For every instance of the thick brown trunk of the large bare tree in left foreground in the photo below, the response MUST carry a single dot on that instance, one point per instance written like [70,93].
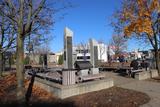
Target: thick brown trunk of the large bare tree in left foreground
[20,70]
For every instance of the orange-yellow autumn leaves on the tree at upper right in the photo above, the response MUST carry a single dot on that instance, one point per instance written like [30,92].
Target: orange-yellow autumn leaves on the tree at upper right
[142,23]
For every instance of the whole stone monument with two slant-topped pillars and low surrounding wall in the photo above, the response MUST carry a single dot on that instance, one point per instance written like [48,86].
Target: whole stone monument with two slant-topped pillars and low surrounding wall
[69,81]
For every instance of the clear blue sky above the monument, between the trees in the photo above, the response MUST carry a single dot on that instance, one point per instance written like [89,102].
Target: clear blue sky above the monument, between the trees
[89,19]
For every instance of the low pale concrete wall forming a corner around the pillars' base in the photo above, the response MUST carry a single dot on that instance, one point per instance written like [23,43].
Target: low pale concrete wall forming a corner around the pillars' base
[62,91]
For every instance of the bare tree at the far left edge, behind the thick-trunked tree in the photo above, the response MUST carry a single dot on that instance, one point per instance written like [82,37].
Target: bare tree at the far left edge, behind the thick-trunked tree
[7,40]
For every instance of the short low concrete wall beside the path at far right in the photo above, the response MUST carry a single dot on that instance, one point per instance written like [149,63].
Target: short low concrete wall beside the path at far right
[146,74]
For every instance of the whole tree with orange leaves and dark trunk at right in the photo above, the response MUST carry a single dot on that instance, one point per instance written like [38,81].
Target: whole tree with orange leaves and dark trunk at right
[142,19]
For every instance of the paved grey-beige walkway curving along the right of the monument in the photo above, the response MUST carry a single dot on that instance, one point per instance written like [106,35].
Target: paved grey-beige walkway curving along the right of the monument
[150,88]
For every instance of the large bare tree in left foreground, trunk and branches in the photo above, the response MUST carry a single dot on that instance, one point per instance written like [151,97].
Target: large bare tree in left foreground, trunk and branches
[27,17]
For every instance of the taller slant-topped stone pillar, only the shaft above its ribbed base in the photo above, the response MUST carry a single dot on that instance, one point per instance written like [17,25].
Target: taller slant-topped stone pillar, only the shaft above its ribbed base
[68,34]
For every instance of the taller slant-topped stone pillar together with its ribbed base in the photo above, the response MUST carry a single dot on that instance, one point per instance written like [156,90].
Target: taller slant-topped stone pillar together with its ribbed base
[68,74]
